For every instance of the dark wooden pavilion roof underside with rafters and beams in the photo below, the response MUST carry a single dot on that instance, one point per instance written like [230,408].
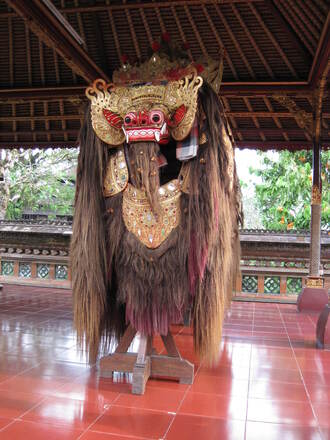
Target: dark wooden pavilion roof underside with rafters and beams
[276,52]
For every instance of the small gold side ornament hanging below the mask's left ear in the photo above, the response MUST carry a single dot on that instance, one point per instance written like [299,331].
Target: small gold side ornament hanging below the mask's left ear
[116,177]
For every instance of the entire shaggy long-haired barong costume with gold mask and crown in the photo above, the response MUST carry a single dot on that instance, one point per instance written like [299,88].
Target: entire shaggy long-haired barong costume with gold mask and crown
[157,205]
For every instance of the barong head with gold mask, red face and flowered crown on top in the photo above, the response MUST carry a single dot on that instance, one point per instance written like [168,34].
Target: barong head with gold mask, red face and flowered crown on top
[152,101]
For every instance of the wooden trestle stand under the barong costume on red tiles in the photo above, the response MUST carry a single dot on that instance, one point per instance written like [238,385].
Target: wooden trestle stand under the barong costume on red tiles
[146,362]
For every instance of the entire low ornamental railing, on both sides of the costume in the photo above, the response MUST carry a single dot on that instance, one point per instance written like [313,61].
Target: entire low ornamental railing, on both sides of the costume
[274,265]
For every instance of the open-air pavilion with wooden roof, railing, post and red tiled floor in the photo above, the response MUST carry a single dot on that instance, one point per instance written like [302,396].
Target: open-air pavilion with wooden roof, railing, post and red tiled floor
[272,380]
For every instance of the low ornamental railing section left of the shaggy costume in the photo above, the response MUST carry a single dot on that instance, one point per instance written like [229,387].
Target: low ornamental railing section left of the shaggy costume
[35,252]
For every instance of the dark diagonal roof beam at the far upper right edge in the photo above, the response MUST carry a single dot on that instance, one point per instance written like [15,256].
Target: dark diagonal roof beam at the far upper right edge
[322,55]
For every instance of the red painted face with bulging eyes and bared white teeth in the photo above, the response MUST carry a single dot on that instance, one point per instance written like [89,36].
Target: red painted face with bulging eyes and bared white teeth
[146,126]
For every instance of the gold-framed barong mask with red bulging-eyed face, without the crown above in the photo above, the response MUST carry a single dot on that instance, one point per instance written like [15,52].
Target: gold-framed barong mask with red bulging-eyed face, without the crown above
[144,112]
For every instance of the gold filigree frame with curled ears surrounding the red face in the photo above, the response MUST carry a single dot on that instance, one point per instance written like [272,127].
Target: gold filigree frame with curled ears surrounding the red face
[117,101]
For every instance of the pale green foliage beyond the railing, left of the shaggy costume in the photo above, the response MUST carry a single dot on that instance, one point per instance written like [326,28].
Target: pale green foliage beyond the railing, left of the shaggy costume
[39,180]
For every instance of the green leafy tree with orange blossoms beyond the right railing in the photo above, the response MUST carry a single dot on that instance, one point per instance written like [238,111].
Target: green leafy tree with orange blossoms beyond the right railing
[284,194]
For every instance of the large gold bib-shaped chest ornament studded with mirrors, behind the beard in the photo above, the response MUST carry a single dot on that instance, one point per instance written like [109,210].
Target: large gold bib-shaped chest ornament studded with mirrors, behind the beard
[150,229]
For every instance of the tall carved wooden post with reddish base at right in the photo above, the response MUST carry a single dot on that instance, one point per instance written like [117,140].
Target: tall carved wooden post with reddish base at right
[313,295]
